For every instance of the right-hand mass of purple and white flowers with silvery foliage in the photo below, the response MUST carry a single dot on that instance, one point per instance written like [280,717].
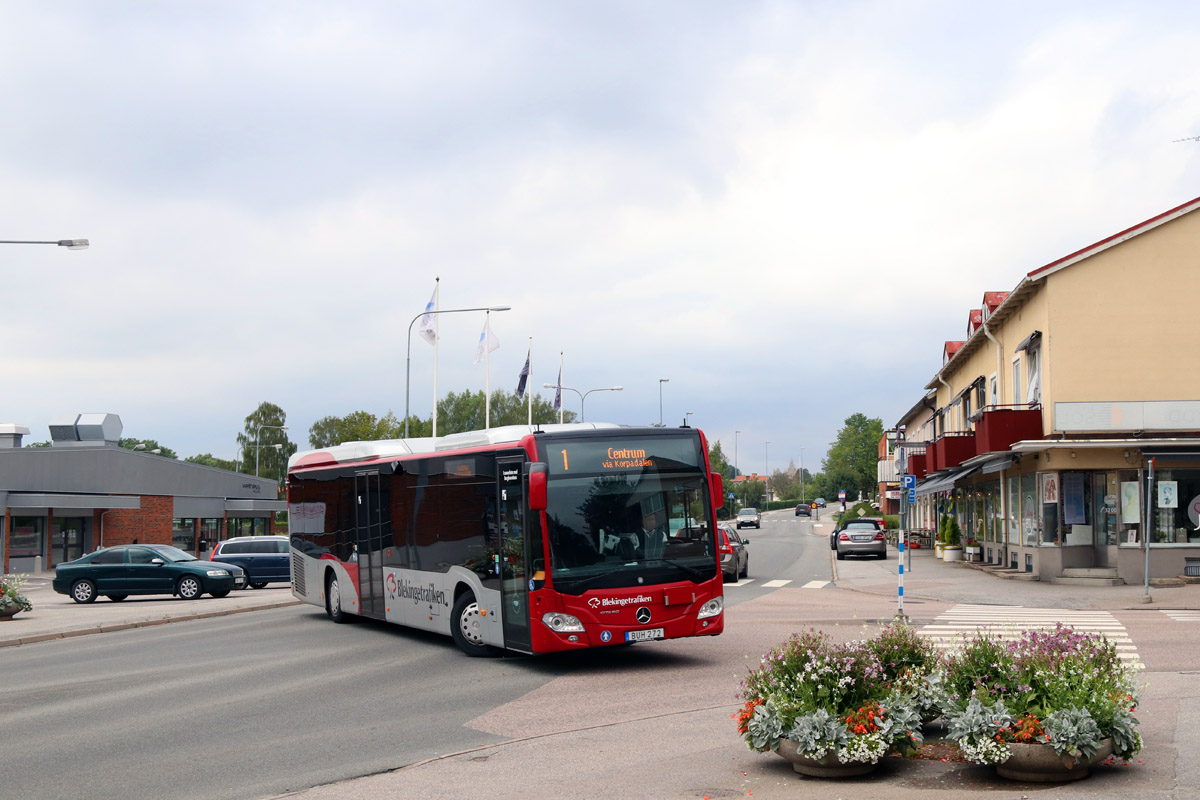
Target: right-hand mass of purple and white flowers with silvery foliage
[1060,688]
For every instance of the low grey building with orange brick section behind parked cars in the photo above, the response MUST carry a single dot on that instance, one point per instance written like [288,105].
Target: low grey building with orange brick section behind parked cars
[85,492]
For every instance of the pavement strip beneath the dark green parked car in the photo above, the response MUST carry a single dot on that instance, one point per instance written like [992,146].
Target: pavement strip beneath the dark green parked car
[57,617]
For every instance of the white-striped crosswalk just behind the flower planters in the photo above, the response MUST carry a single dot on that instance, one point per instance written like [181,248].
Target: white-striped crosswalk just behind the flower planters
[1009,622]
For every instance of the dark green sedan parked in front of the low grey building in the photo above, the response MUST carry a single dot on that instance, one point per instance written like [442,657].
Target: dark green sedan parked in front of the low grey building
[118,573]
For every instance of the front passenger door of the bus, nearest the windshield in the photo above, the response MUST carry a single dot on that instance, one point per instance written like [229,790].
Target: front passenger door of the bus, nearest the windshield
[513,546]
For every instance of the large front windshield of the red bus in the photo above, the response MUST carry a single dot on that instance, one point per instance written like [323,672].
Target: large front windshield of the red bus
[629,530]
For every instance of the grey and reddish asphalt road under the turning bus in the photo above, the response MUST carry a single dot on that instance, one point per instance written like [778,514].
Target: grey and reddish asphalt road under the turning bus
[266,705]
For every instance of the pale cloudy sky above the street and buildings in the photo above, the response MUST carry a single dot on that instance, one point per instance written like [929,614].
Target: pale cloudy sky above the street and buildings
[785,208]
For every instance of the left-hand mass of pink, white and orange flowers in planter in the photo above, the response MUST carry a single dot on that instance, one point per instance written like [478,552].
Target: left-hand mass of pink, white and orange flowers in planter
[843,699]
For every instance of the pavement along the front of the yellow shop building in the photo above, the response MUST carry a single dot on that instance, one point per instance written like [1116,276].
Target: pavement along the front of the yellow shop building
[931,579]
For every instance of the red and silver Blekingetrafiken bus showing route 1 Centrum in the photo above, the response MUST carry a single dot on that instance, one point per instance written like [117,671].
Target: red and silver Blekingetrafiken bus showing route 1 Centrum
[529,539]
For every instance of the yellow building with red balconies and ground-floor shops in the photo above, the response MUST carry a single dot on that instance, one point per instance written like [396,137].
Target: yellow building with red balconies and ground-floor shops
[1040,429]
